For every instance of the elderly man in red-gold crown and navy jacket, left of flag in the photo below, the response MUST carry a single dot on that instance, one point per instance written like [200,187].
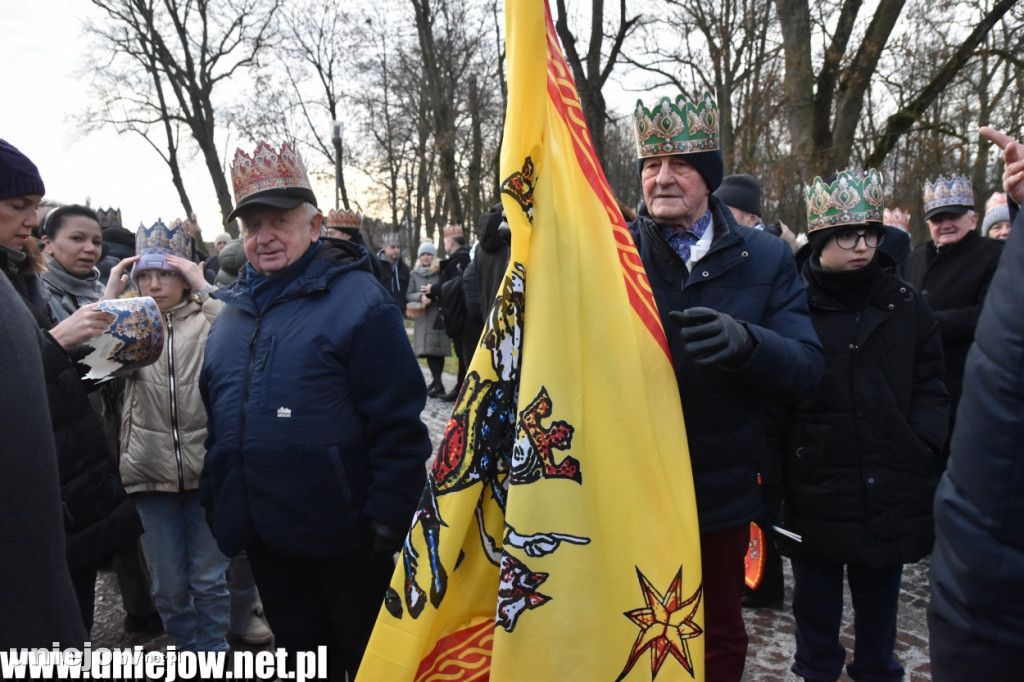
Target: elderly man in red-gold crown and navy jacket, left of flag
[316,451]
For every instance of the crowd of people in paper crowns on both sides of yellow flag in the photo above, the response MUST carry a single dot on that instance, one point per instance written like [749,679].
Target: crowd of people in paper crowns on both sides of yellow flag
[261,475]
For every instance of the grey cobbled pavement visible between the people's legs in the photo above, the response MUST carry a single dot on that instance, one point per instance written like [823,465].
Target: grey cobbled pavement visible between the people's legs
[772,632]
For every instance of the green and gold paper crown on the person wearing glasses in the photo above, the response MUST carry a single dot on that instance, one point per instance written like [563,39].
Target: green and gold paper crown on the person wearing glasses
[856,198]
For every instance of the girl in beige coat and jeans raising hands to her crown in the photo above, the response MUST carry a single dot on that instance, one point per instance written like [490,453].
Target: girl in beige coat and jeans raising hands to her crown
[162,450]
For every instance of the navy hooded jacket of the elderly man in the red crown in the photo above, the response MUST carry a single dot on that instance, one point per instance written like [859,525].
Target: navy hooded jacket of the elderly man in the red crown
[315,406]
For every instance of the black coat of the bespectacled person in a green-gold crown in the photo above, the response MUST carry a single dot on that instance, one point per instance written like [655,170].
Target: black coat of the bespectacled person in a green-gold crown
[862,461]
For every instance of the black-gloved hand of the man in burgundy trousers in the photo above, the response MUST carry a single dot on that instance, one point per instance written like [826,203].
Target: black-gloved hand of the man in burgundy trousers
[713,338]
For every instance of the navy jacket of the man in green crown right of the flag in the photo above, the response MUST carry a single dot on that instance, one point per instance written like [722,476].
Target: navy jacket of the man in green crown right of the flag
[752,277]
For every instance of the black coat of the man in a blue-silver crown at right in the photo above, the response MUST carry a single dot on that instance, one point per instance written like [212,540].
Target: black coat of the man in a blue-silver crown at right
[954,281]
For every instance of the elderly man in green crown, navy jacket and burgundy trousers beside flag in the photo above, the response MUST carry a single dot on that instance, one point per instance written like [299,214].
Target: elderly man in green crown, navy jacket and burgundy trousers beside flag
[741,335]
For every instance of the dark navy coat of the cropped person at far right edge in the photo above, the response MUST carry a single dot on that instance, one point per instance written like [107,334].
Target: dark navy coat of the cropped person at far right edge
[977,573]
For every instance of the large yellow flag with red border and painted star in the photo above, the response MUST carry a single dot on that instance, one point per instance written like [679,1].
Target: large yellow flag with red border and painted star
[558,539]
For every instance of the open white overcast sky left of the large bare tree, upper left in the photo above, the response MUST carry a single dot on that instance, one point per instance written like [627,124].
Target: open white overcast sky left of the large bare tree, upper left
[40,53]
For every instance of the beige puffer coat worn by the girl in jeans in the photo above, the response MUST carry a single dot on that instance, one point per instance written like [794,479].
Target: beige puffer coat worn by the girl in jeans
[163,428]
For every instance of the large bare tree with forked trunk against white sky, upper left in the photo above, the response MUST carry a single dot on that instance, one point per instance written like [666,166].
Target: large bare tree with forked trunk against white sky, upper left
[187,49]
